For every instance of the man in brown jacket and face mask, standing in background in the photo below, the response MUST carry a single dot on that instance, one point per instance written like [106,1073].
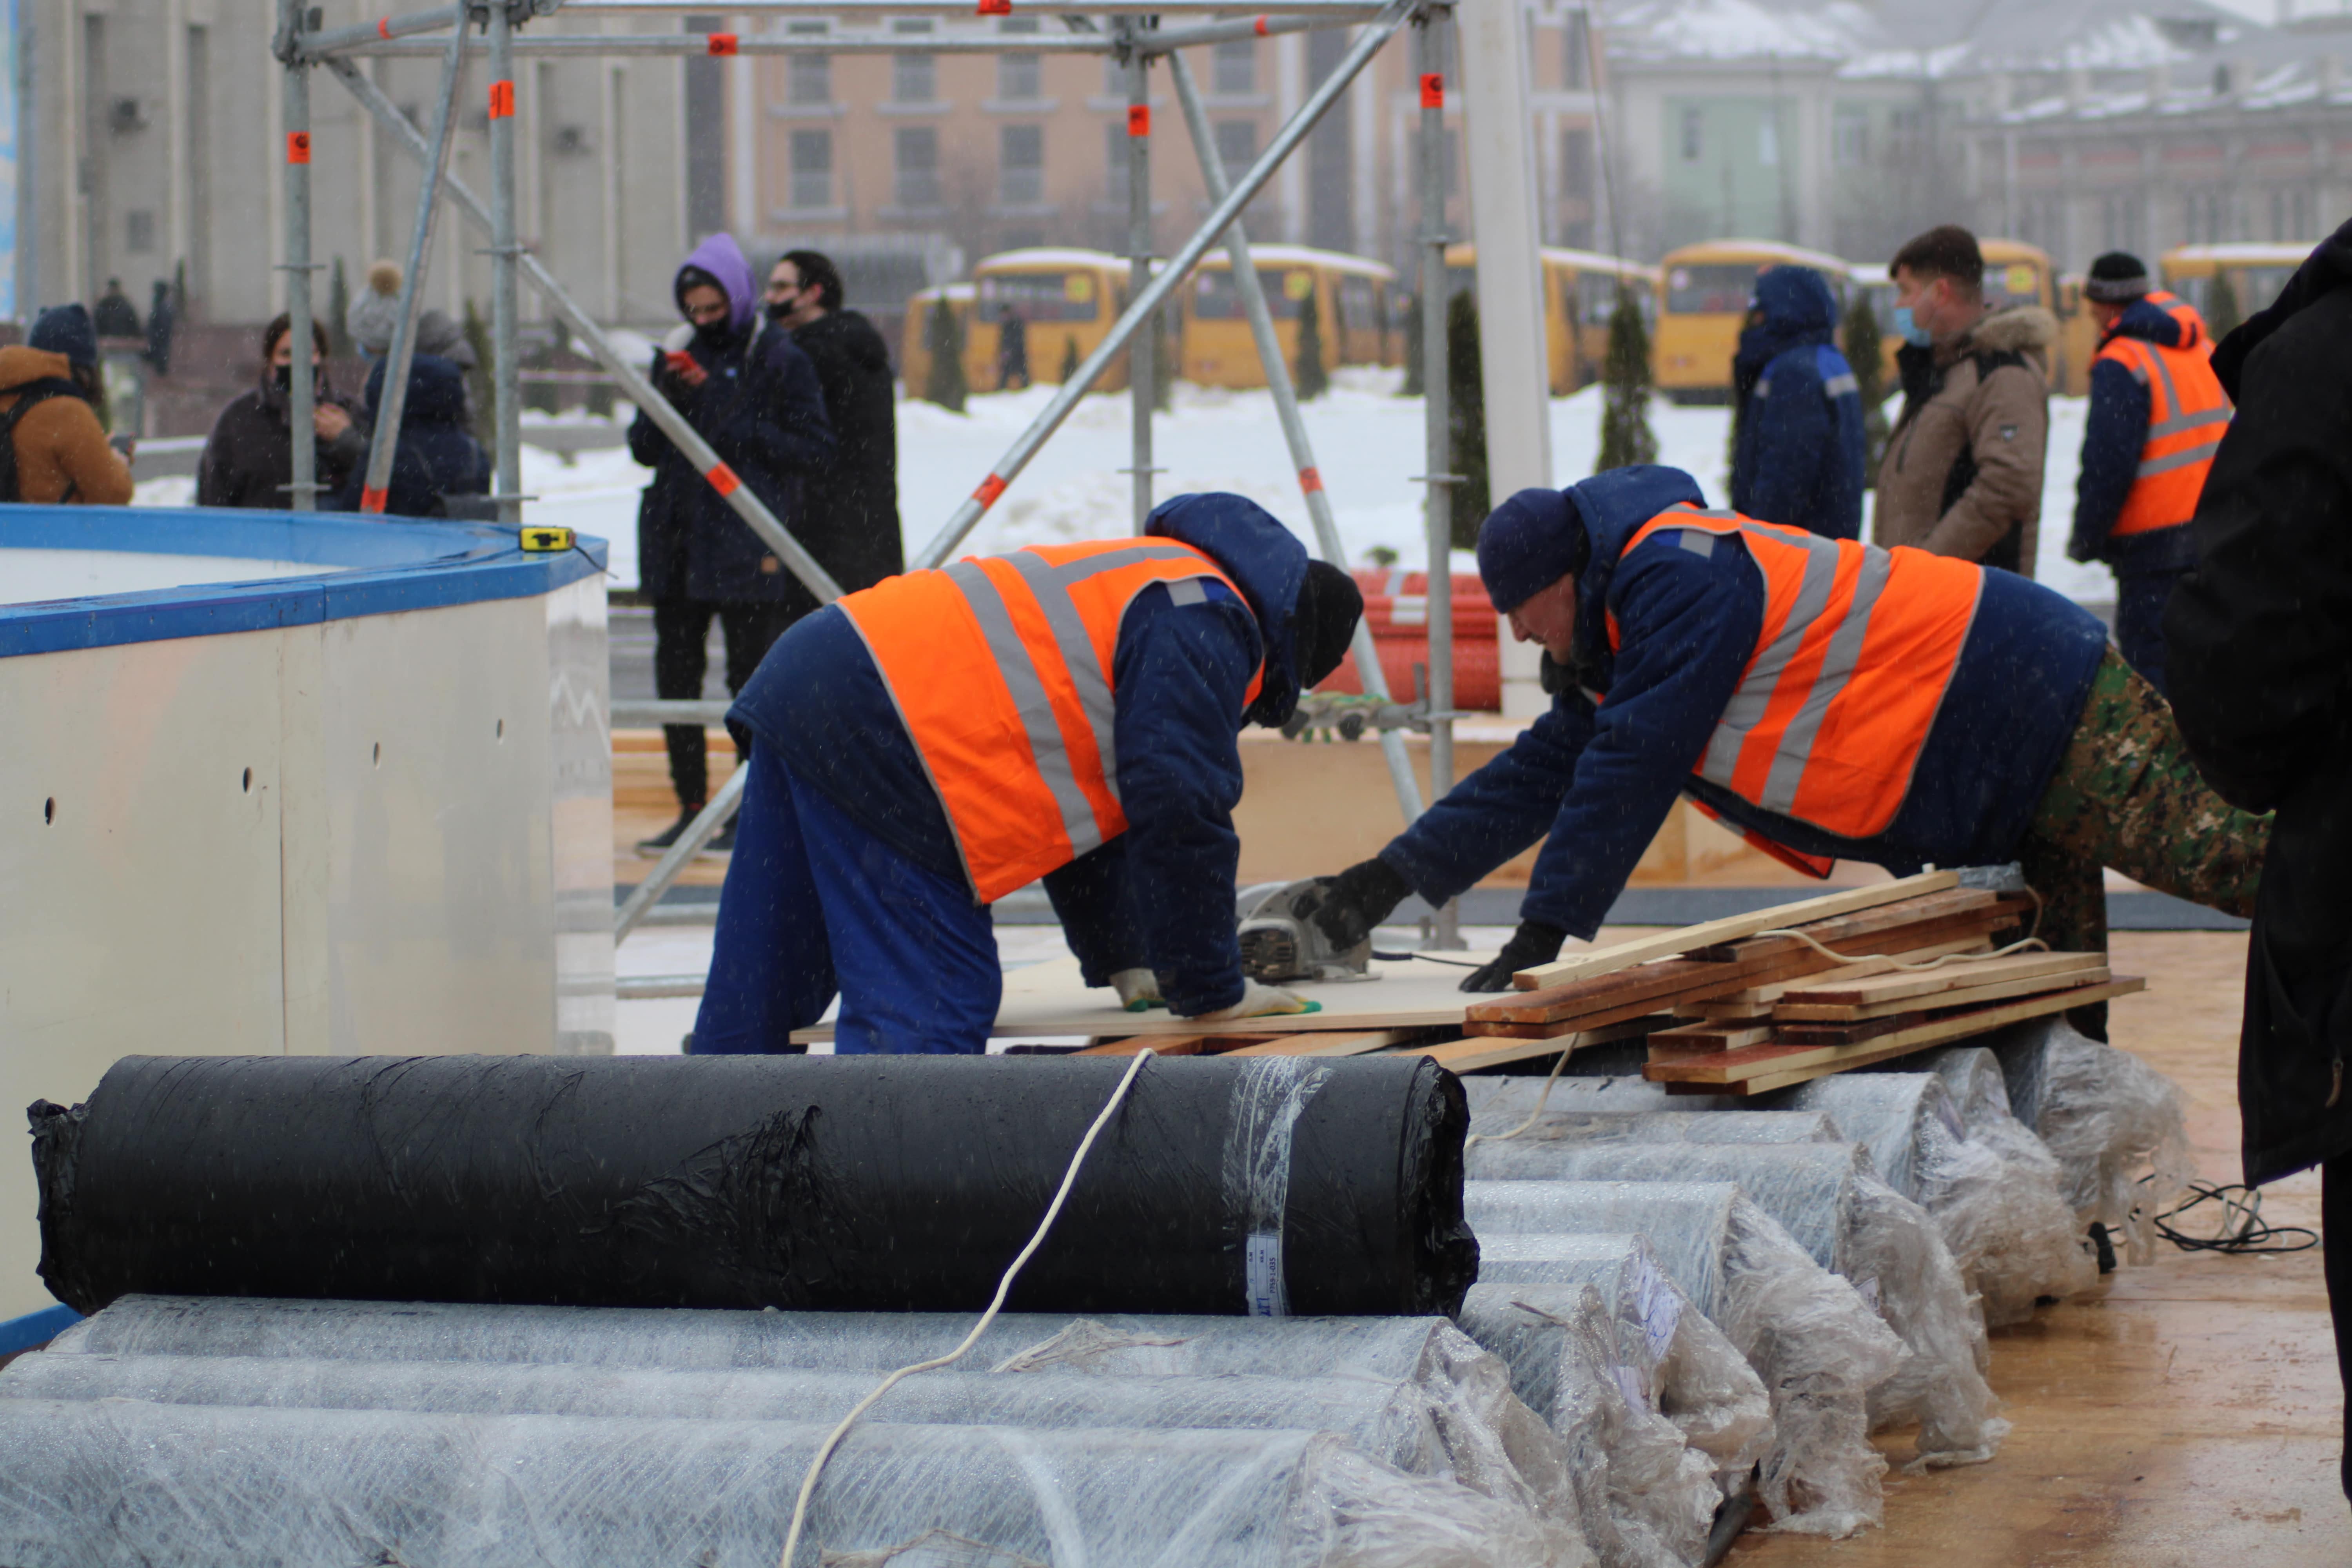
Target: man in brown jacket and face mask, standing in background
[1963,469]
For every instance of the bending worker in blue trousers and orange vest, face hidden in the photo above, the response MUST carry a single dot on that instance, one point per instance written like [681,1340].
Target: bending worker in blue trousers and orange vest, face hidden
[930,744]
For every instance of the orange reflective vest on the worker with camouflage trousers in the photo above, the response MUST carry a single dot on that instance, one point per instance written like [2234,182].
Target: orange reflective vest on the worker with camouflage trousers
[1847,676]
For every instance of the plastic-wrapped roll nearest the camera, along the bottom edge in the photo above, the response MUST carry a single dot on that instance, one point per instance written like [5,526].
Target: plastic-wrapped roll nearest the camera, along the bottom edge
[267,1489]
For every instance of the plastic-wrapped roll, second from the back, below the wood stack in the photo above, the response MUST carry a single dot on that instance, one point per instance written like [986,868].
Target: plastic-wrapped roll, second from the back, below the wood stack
[1993,1195]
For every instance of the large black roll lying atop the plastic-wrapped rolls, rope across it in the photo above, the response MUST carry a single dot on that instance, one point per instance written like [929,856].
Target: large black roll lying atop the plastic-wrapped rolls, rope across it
[799,1181]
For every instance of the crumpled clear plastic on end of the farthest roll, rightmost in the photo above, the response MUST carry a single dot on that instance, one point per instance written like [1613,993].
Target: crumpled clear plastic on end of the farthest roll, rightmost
[2113,1123]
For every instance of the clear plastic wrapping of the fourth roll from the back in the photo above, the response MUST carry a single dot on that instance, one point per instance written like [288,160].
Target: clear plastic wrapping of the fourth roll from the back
[1812,1339]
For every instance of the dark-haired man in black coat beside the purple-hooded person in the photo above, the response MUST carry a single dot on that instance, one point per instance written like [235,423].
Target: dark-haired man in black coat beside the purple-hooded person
[850,514]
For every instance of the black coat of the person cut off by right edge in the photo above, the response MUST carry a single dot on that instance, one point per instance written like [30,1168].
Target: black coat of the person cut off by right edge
[2261,659]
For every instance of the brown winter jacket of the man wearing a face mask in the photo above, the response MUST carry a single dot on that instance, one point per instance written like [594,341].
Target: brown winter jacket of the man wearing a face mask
[1963,471]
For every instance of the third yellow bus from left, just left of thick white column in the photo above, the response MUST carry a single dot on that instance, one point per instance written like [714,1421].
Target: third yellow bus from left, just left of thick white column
[1351,311]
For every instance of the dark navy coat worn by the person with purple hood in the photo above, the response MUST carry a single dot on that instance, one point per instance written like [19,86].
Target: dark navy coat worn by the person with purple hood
[766,417]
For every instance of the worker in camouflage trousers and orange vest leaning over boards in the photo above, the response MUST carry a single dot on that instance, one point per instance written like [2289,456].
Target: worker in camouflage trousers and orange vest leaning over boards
[1826,697]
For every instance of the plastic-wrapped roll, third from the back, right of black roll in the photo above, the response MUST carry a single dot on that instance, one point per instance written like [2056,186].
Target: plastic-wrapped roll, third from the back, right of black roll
[1855,1226]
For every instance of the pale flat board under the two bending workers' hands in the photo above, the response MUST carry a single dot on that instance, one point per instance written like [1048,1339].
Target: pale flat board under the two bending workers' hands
[1050,1000]
